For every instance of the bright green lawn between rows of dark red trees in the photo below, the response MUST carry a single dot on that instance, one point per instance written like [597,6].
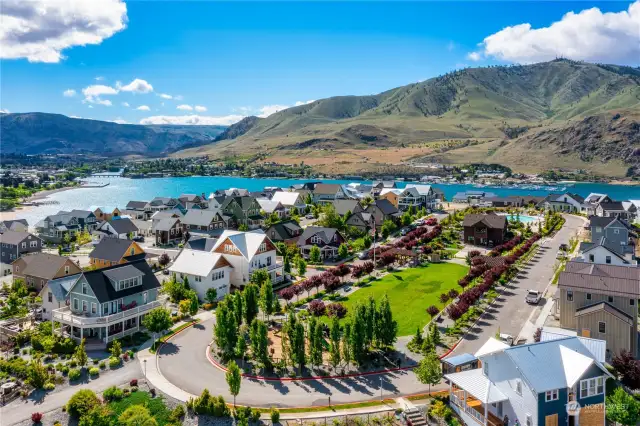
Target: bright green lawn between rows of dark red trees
[411,292]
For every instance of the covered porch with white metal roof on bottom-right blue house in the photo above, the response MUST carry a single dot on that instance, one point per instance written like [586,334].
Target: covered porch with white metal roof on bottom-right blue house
[476,399]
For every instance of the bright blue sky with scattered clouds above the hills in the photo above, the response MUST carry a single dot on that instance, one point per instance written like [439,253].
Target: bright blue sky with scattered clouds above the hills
[238,58]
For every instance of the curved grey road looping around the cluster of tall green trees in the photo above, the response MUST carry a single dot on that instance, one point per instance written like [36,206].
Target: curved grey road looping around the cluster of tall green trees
[183,362]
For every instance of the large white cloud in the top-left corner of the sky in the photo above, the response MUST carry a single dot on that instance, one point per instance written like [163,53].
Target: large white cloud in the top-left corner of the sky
[39,30]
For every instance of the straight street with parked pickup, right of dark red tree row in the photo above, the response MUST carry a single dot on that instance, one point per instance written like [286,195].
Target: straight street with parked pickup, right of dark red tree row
[510,313]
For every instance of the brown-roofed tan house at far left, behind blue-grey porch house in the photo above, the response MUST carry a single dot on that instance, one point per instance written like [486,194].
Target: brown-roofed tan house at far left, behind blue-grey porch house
[38,268]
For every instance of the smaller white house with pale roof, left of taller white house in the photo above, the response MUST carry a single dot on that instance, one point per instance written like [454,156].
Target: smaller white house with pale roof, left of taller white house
[204,270]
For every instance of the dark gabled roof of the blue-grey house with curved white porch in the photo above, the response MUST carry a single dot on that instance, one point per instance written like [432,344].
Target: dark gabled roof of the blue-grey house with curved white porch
[100,280]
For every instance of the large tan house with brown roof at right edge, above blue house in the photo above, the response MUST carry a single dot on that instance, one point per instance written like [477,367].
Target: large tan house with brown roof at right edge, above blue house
[600,301]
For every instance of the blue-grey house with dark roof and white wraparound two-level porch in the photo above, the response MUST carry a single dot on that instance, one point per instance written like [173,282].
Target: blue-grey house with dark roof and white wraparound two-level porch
[109,303]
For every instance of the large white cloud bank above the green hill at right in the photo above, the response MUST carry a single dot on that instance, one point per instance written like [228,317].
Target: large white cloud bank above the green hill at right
[588,35]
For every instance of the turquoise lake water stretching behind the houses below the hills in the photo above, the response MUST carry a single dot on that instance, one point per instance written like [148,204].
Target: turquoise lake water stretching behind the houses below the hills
[121,190]
